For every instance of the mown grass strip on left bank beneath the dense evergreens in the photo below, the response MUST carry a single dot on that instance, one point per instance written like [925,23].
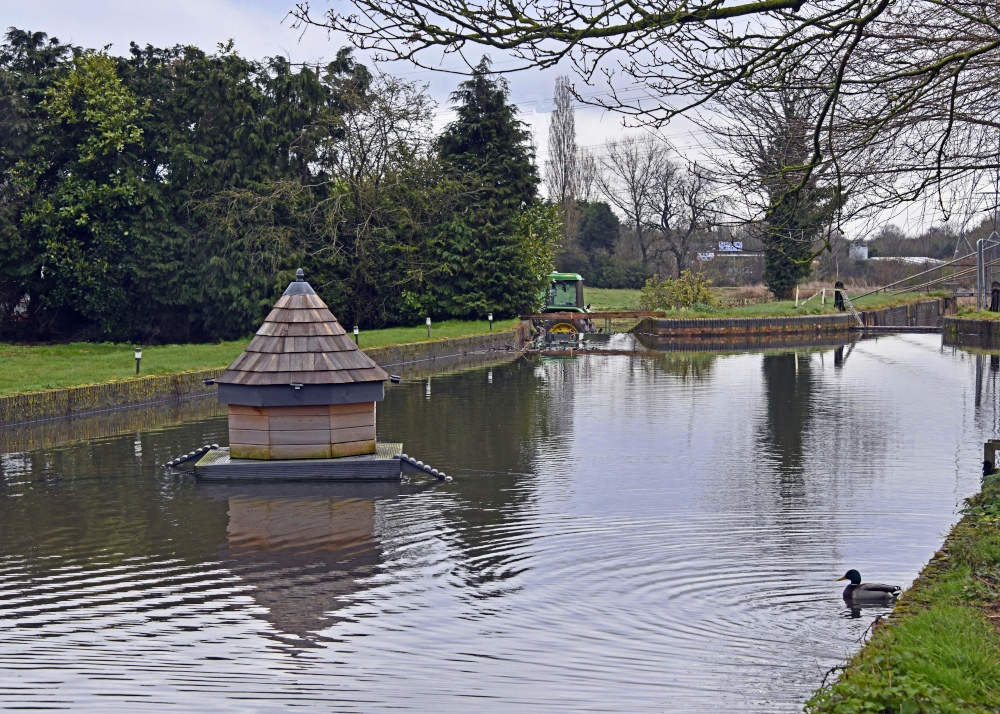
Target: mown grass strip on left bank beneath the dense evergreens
[34,368]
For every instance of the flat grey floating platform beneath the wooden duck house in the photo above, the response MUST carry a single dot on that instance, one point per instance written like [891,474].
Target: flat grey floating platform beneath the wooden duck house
[388,463]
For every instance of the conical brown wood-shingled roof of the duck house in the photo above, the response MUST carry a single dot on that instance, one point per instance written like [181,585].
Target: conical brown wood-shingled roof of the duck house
[301,342]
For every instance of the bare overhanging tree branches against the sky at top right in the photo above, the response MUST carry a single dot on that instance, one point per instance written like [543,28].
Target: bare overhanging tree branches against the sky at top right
[914,78]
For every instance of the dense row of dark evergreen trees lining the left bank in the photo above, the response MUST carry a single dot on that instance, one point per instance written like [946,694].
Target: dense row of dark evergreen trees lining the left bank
[169,195]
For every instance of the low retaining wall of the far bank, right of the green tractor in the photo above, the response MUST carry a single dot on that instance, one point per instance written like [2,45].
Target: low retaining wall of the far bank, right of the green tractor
[923,313]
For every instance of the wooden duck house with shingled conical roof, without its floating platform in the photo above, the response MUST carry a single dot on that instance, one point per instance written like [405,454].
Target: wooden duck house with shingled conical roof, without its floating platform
[302,389]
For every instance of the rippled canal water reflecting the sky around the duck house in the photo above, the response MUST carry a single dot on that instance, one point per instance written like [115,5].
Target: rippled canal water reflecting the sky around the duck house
[623,533]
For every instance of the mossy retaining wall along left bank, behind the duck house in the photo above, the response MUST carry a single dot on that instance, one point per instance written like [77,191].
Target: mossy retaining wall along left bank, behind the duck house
[408,360]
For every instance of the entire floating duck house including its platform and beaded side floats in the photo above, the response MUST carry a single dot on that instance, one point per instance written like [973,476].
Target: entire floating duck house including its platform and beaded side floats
[301,401]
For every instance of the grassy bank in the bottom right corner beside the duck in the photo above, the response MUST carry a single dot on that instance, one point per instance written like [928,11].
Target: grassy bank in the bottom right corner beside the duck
[940,650]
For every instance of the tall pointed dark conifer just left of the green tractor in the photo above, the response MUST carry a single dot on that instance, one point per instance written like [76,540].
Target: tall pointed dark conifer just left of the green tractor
[496,250]
